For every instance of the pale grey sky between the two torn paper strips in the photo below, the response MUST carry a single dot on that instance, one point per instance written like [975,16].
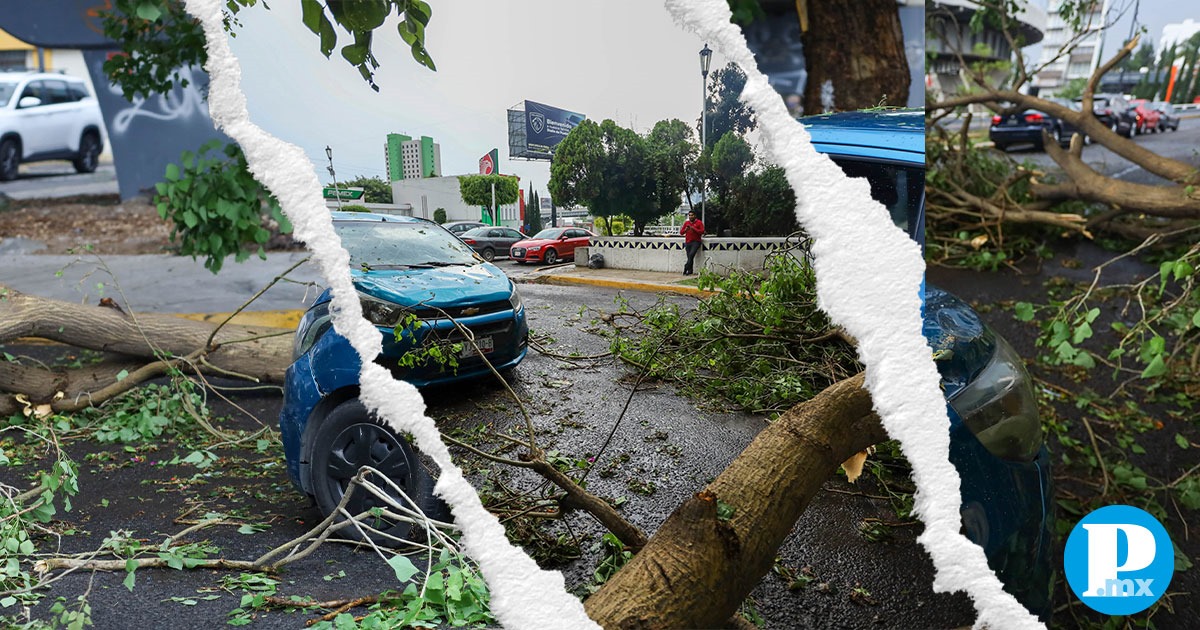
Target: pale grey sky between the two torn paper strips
[620,59]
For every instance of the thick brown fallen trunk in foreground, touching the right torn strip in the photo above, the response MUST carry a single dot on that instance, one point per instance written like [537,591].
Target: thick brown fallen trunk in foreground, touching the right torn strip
[704,562]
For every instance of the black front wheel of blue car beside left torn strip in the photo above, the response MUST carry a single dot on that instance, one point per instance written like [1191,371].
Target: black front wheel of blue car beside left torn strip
[350,439]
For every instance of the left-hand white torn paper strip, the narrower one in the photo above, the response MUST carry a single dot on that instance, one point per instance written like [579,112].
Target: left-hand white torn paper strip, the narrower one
[524,596]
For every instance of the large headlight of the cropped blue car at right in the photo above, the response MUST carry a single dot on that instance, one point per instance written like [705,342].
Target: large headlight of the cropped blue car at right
[1000,409]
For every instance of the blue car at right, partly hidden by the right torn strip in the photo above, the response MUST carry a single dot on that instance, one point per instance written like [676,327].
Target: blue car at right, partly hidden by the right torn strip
[997,442]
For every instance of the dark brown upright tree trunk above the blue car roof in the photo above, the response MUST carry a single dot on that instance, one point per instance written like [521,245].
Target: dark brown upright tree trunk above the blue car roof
[859,50]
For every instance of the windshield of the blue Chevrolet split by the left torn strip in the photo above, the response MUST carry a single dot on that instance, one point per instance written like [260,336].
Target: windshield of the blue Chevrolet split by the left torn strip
[392,245]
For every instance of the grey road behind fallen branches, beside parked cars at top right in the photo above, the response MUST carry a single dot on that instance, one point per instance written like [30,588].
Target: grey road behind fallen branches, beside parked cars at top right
[1180,145]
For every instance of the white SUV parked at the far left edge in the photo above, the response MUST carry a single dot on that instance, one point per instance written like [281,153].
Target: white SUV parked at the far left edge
[47,117]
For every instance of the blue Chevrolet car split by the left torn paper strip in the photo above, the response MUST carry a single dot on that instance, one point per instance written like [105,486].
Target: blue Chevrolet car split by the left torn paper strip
[416,278]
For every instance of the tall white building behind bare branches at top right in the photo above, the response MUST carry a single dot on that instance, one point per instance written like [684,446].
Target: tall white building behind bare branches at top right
[1082,61]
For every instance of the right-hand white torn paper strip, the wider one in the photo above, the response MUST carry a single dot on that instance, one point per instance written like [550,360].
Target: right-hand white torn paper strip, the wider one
[869,279]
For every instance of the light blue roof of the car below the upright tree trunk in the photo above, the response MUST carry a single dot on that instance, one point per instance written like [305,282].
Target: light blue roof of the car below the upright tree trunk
[893,135]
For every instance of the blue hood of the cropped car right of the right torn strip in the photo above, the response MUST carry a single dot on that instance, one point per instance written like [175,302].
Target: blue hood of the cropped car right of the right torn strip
[962,343]
